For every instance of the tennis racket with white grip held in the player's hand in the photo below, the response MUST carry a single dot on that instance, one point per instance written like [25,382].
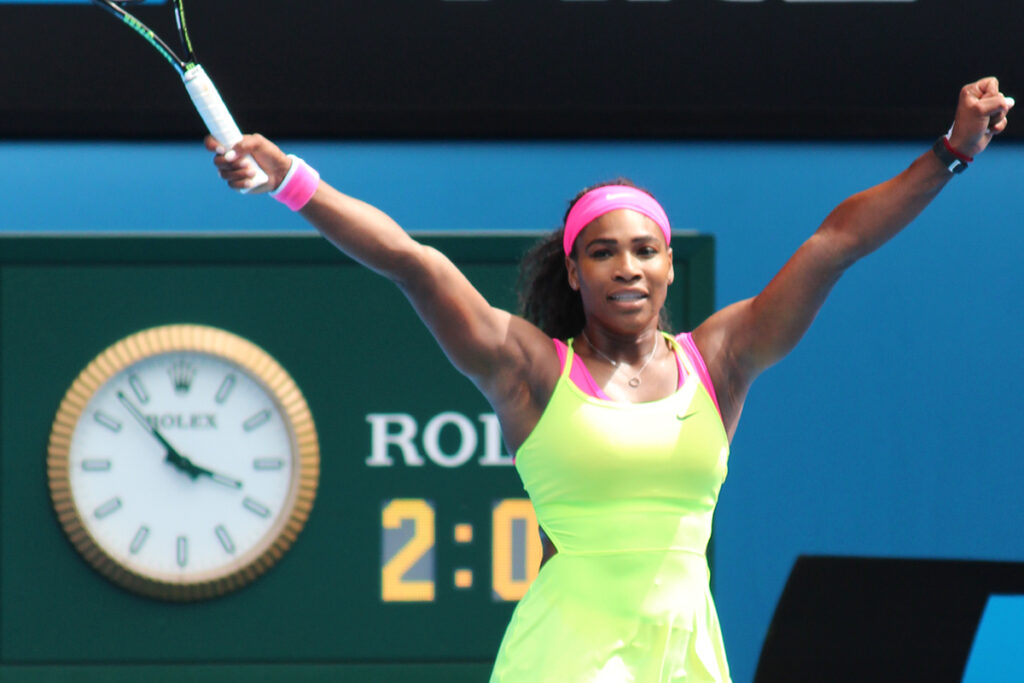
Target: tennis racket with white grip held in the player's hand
[204,95]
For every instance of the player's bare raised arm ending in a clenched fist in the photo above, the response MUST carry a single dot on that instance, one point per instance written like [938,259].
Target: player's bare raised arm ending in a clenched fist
[744,339]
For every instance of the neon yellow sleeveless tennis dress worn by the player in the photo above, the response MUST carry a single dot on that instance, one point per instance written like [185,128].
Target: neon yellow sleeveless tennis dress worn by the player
[626,492]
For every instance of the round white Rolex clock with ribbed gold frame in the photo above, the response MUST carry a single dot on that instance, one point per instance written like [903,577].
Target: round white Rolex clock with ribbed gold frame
[184,462]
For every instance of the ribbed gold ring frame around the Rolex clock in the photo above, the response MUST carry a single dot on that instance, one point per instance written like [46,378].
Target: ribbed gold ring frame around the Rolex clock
[261,366]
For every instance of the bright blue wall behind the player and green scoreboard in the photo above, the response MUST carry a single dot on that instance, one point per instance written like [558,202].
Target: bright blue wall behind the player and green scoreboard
[892,431]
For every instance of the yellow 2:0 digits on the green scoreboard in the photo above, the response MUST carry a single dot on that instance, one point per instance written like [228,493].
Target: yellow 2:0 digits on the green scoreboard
[409,540]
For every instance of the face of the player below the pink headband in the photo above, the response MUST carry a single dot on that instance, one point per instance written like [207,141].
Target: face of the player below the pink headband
[623,270]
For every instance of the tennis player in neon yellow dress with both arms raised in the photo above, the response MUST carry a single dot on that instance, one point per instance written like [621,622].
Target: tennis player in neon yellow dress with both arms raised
[621,431]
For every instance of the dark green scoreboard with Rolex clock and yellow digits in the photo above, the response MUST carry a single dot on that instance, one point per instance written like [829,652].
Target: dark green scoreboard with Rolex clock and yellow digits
[148,390]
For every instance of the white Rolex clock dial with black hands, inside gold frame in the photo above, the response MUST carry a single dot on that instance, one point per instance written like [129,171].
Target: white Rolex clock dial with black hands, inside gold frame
[153,514]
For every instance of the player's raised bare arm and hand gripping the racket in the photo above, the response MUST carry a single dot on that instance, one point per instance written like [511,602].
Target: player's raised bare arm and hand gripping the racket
[500,353]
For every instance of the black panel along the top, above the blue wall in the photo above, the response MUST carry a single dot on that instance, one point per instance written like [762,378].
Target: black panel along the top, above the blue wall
[718,69]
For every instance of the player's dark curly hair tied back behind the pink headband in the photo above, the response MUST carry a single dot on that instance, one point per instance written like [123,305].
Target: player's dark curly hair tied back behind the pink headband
[545,296]
